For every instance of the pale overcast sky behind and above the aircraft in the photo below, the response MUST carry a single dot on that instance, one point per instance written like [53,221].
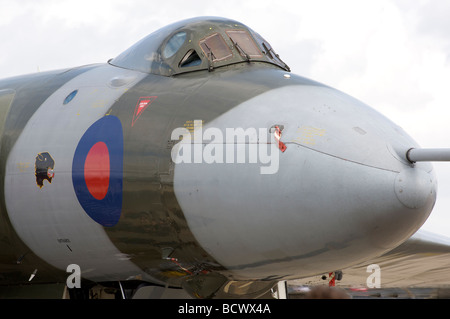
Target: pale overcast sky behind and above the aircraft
[392,54]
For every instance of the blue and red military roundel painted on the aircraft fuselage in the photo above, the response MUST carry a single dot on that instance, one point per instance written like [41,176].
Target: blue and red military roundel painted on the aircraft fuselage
[97,171]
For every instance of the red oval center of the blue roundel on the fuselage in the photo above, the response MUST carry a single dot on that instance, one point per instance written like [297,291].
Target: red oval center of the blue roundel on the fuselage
[97,170]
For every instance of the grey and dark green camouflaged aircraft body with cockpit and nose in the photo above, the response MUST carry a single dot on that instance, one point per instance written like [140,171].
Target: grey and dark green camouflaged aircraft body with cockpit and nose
[88,174]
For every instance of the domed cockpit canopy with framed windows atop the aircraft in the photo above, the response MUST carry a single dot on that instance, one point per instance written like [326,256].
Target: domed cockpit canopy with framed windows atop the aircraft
[197,44]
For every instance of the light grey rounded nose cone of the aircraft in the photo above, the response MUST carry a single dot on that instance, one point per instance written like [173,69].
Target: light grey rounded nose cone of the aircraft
[339,194]
